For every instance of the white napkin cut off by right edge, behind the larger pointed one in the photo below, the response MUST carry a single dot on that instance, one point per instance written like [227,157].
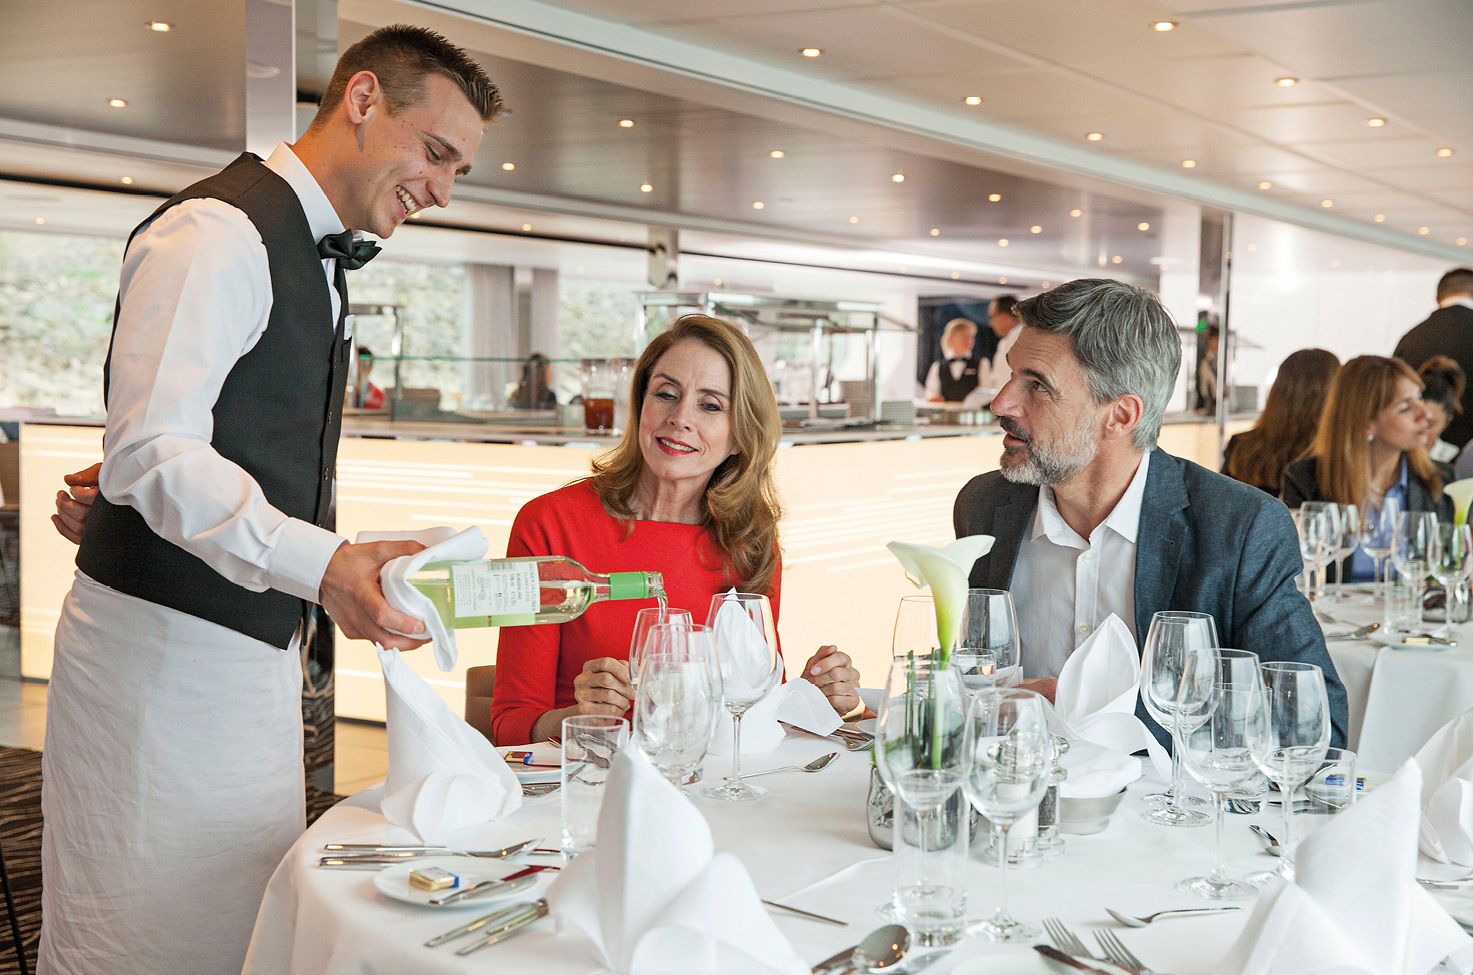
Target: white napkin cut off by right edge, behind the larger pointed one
[1447,800]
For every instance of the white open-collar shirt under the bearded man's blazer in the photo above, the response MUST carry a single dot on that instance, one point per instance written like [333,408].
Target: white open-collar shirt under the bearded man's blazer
[1064,585]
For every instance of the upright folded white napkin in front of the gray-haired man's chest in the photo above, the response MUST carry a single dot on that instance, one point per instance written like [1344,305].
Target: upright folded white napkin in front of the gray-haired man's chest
[1095,705]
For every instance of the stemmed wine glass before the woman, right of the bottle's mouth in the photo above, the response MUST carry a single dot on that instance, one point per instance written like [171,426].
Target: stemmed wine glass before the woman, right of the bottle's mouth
[750,668]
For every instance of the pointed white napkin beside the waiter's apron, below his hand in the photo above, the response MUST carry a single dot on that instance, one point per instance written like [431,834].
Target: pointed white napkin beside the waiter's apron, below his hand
[444,775]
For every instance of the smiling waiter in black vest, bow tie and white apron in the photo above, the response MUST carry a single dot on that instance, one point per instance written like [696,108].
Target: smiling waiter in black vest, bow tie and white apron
[173,765]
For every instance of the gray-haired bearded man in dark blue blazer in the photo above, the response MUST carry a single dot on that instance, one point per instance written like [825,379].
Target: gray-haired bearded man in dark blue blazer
[1091,519]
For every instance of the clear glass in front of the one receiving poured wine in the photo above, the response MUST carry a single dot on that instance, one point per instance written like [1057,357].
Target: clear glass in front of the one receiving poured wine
[678,703]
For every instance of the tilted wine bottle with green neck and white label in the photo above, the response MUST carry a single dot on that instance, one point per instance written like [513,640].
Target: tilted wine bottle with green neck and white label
[525,591]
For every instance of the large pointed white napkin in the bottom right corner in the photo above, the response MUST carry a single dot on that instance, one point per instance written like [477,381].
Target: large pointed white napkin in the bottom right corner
[1357,907]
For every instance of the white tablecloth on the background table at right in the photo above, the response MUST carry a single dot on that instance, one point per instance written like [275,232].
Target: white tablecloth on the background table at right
[1397,697]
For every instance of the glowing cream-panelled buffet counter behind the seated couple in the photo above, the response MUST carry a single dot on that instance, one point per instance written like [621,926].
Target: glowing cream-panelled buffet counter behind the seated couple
[848,493]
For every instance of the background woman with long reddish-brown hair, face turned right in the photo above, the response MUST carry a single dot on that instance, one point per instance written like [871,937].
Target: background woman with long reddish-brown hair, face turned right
[1371,447]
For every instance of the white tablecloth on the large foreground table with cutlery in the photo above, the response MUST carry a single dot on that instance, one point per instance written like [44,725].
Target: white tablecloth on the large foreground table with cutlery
[806,845]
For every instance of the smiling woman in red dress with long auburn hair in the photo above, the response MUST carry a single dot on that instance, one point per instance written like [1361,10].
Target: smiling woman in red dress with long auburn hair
[687,493]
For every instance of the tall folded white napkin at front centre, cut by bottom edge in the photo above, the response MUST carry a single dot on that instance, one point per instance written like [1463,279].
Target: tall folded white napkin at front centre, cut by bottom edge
[652,898]
